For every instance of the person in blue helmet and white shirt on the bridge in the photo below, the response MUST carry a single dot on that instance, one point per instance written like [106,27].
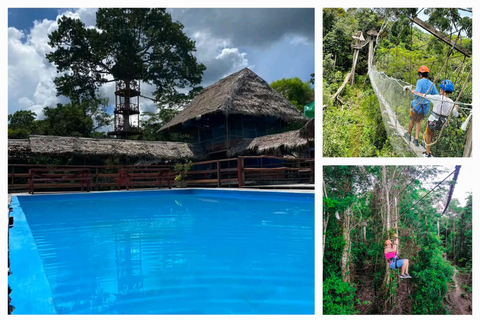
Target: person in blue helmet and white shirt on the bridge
[442,105]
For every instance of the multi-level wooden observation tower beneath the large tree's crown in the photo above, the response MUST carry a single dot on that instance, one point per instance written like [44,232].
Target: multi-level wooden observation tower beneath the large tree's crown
[127,109]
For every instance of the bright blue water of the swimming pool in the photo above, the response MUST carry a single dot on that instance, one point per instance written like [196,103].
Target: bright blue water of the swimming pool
[164,252]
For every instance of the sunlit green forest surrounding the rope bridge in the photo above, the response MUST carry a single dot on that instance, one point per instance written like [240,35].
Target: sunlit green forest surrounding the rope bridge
[352,119]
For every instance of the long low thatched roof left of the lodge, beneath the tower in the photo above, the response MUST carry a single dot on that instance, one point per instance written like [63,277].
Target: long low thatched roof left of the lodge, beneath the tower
[52,145]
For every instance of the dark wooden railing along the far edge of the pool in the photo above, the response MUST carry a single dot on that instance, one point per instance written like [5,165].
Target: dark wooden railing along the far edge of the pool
[233,172]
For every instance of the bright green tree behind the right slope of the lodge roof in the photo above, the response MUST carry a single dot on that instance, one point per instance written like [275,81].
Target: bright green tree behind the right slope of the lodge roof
[296,91]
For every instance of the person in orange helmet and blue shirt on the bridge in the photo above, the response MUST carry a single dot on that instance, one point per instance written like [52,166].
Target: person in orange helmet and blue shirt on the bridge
[419,107]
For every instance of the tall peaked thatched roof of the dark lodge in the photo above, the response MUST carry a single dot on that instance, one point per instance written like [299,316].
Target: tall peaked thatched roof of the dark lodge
[242,93]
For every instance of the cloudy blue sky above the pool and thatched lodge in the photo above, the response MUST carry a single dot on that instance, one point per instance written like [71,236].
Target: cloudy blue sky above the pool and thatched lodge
[274,43]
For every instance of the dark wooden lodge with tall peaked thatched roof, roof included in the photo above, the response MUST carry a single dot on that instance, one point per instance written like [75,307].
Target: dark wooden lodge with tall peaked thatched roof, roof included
[236,110]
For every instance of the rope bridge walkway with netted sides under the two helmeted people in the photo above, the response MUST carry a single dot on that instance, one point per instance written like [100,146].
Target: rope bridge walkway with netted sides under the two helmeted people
[395,107]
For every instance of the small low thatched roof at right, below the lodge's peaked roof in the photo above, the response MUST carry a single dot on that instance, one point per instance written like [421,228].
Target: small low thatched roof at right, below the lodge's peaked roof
[271,144]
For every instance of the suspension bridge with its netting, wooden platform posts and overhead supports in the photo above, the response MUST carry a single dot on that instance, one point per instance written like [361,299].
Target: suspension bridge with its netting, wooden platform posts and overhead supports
[395,106]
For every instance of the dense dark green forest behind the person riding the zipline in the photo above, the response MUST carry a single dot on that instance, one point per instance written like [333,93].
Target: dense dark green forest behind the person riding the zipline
[363,206]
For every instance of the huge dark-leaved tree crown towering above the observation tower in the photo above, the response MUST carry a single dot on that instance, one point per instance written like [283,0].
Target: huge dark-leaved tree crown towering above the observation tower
[127,45]
